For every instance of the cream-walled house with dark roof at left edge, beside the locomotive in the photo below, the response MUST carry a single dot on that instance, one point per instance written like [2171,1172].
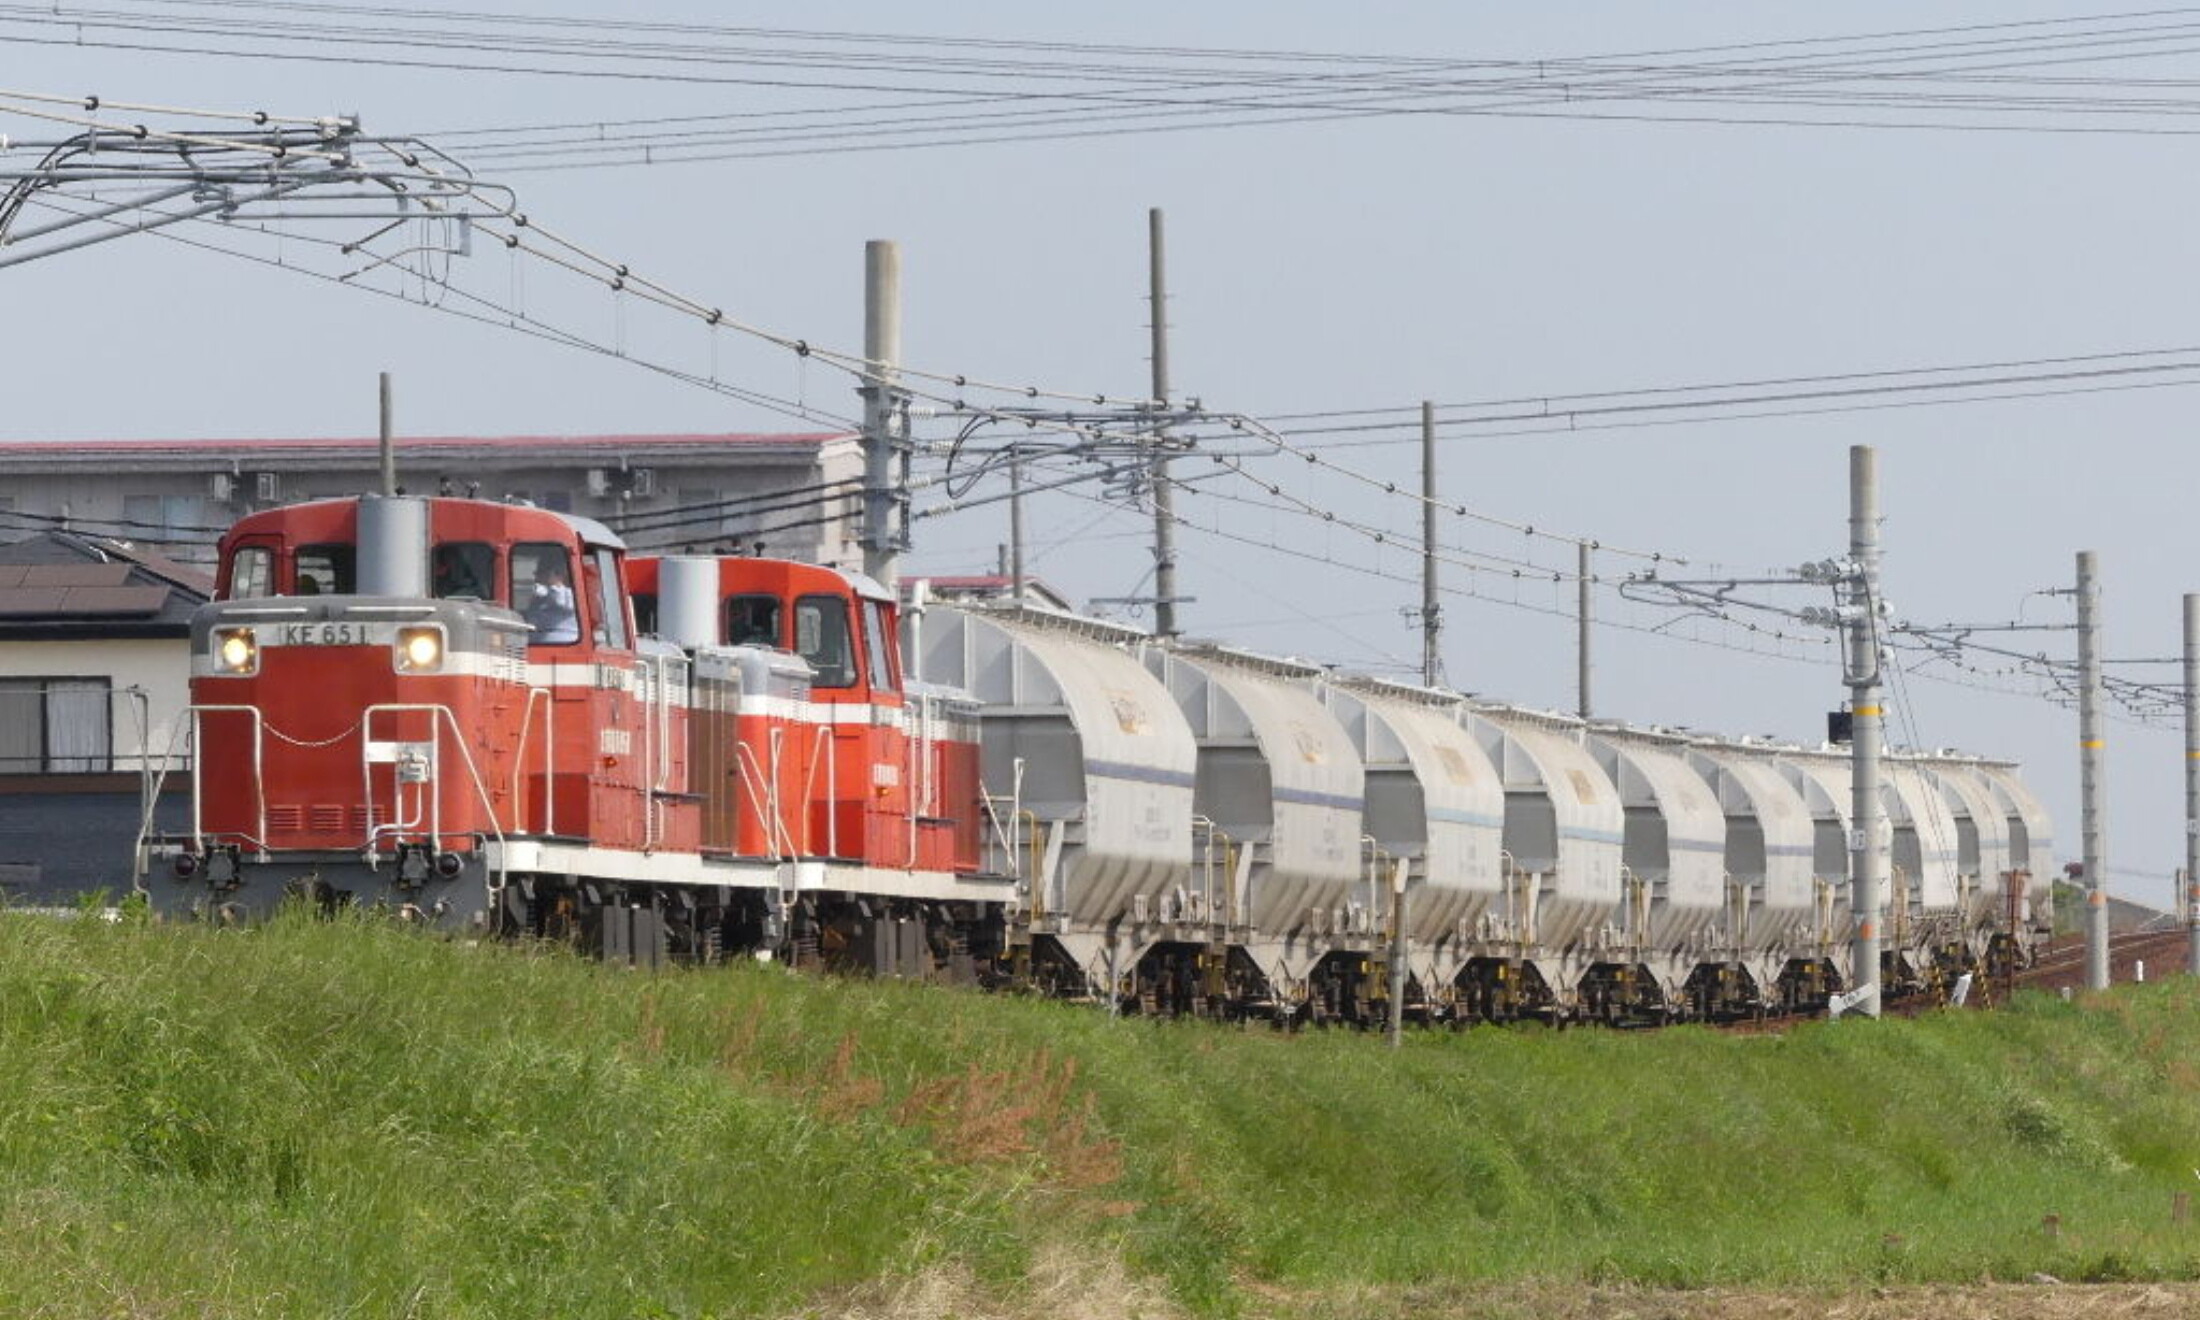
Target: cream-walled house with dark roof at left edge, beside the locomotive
[93,679]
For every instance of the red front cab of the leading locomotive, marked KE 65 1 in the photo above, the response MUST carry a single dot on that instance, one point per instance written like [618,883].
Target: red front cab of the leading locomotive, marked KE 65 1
[382,690]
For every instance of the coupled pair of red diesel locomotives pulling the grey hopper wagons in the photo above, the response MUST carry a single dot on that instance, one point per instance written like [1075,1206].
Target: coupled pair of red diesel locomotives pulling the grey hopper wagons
[445,707]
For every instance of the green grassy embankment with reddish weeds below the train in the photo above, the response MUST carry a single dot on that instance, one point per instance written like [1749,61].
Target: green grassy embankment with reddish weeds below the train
[344,1119]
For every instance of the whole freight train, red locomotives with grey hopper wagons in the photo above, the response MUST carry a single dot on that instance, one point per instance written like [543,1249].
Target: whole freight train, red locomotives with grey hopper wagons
[489,718]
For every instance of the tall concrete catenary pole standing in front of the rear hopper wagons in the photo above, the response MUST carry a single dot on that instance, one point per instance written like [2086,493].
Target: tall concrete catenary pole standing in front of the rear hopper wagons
[1869,815]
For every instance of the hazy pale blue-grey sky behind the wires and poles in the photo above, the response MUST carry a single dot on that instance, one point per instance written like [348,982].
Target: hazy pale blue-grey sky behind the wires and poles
[1596,212]
